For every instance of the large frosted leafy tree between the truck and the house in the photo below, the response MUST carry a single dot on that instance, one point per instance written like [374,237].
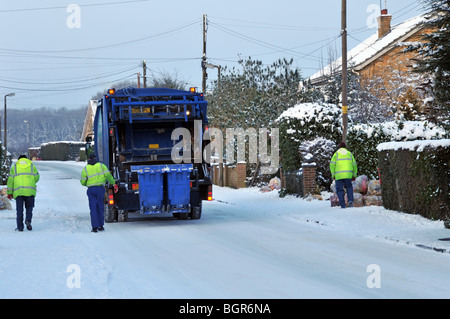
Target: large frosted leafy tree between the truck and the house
[255,94]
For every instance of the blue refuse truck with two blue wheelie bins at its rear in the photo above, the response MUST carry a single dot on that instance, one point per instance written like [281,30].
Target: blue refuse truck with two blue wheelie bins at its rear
[154,142]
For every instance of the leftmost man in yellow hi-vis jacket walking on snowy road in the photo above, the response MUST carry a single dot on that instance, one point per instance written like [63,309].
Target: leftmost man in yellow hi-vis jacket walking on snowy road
[21,184]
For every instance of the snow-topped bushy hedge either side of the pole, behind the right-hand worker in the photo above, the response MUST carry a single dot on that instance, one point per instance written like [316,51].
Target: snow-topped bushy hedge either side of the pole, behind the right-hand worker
[308,121]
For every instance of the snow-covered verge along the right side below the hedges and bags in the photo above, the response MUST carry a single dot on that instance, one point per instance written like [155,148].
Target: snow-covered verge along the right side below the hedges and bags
[374,222]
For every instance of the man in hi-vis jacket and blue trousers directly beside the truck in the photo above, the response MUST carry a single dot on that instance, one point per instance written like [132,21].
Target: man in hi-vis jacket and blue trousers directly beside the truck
[94,175]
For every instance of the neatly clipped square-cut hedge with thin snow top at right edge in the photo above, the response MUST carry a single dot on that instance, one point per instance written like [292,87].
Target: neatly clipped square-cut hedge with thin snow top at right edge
[415,177]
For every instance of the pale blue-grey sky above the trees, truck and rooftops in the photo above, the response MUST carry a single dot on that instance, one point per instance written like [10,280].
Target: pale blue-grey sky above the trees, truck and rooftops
[58,53]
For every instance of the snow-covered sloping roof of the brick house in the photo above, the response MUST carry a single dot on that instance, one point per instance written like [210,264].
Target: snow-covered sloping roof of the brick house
[372,46]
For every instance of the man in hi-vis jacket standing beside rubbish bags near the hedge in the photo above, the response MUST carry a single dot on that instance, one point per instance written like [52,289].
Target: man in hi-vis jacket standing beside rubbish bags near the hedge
[343,169]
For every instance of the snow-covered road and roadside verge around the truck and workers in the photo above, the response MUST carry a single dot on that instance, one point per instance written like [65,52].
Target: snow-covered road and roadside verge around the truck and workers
[247,244]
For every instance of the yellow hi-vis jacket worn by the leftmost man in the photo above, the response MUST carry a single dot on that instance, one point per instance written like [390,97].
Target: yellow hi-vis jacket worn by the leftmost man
[22,179]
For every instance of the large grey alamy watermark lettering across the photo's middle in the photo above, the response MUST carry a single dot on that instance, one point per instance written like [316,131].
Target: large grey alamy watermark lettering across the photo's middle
[235,143]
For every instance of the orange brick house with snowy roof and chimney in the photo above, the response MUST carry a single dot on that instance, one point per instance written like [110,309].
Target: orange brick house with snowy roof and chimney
[380,62]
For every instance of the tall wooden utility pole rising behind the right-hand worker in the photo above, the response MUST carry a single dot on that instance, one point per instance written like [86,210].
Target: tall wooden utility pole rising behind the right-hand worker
[344,70]
